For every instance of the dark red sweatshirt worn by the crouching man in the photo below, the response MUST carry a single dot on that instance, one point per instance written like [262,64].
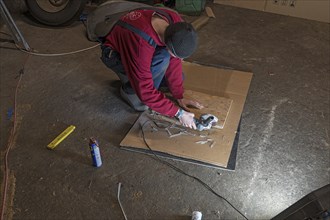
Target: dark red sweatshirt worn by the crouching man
[136,55]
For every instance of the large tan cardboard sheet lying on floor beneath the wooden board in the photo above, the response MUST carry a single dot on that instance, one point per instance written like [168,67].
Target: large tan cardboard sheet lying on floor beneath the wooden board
[230,84]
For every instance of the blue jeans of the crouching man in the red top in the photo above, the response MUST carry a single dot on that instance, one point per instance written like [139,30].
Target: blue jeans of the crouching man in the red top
[159,65]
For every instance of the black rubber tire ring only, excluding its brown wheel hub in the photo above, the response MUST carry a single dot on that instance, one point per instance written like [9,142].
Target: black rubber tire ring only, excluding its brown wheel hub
[62,18]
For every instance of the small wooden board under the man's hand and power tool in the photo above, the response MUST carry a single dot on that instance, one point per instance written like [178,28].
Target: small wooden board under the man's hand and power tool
[215,105]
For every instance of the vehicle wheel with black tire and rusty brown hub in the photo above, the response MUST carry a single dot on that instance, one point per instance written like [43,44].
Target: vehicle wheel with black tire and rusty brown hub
[55,12]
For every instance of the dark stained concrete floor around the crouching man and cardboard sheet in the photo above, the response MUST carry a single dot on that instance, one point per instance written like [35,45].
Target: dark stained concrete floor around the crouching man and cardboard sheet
[283,149]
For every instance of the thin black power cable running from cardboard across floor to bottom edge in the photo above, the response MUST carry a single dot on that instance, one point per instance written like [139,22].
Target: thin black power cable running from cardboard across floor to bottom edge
[186,174]
